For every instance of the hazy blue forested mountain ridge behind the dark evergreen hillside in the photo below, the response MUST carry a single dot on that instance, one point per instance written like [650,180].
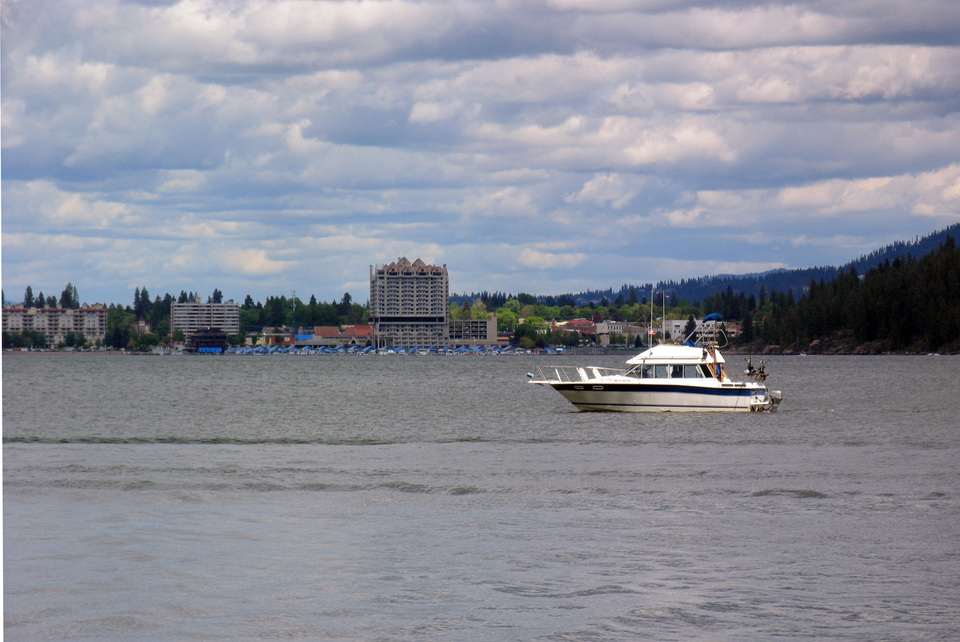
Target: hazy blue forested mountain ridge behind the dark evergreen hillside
[781,280]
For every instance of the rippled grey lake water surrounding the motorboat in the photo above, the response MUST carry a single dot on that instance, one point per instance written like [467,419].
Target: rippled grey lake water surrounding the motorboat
[379,498]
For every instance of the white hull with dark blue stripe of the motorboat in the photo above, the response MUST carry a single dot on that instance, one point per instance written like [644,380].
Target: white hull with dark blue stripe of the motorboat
[662,397]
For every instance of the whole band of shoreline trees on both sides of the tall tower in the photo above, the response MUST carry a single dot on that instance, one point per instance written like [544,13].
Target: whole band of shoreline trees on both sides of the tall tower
[903,304]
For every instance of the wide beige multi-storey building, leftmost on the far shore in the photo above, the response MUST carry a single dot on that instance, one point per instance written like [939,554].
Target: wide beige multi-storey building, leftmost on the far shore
[56,323]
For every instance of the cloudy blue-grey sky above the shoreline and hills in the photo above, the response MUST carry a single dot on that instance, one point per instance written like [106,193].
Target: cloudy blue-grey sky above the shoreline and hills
[273,147]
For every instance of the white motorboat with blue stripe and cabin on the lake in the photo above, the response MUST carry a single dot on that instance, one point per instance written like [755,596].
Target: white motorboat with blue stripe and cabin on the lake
[665,377]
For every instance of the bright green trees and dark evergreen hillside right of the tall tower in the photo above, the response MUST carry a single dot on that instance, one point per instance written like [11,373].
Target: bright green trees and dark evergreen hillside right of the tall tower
[910,304]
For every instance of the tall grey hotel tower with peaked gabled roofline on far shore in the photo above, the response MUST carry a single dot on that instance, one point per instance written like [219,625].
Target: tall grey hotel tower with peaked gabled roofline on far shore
[409,303]
